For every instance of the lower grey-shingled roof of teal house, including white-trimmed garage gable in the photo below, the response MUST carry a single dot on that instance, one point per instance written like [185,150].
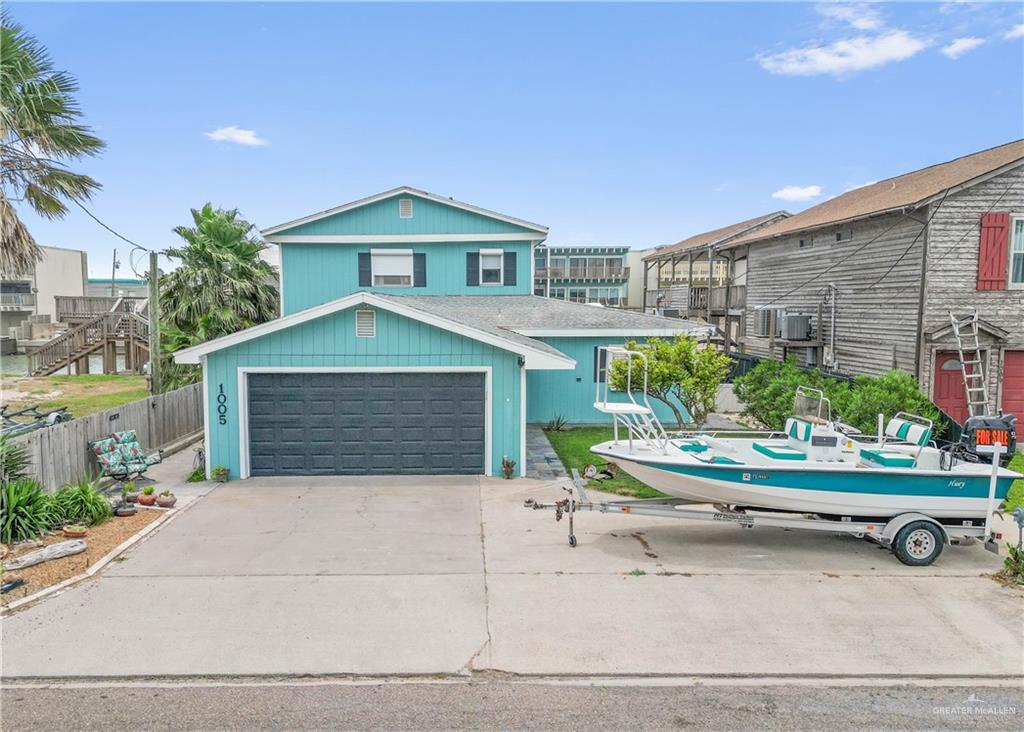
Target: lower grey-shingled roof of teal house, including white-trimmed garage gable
[508,322]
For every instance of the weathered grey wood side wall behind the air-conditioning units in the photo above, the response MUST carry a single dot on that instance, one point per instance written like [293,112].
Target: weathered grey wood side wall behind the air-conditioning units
[876,327]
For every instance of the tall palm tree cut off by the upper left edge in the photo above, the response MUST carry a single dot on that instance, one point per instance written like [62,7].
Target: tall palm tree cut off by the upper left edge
[39,135]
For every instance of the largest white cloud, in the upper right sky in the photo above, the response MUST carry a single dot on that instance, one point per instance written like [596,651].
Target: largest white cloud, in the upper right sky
[845,57]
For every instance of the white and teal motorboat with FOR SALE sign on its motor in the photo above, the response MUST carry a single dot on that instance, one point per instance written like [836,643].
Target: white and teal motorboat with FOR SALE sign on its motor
[815,465]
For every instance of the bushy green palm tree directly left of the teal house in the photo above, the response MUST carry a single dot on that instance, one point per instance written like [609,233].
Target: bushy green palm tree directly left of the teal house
[222,286]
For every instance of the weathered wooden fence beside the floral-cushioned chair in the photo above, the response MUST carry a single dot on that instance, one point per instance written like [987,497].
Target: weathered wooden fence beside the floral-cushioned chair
[61,454]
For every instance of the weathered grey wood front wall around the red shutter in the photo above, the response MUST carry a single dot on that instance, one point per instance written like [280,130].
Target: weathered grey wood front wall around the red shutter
[954,244]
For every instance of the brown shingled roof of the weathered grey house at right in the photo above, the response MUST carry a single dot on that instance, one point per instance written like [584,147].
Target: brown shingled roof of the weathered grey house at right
[908,191]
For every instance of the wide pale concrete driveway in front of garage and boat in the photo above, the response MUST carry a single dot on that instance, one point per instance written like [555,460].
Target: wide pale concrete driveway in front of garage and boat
[401,576]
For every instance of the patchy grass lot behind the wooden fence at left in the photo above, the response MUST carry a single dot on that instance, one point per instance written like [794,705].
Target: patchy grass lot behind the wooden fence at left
[82,396]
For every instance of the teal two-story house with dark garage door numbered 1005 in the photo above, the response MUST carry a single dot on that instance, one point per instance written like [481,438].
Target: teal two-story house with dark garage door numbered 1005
[410,342]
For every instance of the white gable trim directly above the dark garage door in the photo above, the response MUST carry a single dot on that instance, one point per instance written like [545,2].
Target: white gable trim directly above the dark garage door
[535,354]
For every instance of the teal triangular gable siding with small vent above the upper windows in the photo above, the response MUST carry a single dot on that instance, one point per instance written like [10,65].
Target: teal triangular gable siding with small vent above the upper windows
[382,218]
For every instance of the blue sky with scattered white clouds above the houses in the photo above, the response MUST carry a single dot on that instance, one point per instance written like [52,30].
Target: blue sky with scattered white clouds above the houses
[634,124]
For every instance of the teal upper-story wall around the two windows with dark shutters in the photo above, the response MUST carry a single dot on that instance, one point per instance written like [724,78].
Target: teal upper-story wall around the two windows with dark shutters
[315,274]
